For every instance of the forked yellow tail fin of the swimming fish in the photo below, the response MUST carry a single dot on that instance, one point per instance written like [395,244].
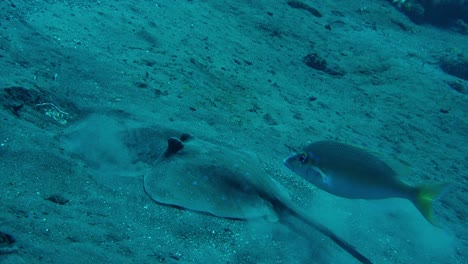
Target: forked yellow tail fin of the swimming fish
[423,198]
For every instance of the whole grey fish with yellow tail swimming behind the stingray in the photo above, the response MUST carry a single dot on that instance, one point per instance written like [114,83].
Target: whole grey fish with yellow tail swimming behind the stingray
[353,172]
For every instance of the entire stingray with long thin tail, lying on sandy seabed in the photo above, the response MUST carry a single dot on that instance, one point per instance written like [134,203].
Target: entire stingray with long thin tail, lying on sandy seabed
[213,179]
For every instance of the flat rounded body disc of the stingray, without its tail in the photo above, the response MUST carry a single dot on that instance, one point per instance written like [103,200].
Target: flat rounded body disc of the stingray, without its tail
[210,178]
